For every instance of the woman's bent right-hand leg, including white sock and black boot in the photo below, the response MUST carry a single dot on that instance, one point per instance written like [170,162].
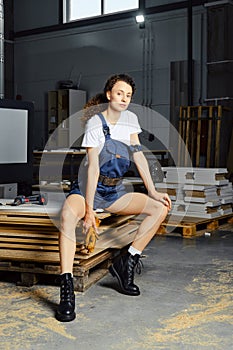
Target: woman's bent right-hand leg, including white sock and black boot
[136,203]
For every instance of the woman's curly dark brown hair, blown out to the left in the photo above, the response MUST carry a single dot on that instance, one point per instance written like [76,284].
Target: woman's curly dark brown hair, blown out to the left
[98,103]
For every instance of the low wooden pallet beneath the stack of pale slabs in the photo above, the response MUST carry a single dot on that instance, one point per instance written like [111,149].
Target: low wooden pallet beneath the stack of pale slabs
[192,227]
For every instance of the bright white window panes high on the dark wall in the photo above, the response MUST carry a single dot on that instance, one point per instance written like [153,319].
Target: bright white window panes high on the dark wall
[80,9]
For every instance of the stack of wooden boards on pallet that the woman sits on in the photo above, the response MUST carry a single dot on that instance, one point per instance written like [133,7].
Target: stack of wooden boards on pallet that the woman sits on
[29,244]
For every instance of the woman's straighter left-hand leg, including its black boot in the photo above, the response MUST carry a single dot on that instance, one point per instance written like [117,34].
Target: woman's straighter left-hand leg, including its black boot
[73,210]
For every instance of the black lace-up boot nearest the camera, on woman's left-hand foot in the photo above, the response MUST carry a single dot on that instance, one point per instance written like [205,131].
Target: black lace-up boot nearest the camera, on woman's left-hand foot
[65,311]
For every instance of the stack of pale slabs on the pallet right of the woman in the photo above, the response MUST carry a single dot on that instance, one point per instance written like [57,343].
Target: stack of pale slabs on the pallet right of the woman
[198,192]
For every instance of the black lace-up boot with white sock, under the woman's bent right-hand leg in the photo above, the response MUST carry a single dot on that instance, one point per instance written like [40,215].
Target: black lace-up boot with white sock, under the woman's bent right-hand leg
[123,269]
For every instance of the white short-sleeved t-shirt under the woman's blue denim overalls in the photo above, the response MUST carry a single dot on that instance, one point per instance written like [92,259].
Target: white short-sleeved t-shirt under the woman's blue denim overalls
[126,125]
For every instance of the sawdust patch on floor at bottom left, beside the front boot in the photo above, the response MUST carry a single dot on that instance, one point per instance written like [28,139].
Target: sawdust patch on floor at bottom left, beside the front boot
[23,321]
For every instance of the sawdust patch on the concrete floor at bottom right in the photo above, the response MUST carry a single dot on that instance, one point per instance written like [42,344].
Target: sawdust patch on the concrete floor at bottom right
[193,326]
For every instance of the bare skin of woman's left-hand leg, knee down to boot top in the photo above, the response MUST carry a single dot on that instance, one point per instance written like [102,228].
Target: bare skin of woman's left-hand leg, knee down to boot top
[72,211]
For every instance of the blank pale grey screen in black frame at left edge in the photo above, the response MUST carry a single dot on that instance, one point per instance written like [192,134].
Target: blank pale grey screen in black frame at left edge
[13,135]
